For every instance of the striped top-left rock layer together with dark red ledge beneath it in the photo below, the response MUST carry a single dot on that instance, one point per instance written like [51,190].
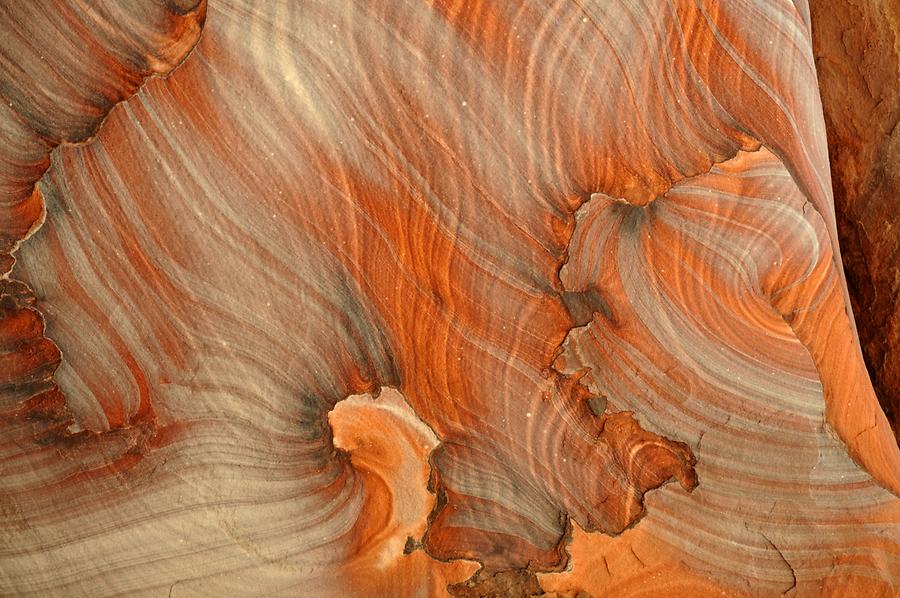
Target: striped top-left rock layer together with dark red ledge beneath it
[64,65]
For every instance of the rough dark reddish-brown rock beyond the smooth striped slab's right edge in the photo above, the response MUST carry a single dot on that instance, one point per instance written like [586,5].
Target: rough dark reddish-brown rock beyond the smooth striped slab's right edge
[857,50]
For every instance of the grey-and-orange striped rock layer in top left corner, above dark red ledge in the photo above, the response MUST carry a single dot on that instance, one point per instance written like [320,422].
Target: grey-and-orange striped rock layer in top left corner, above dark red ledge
[64,65]
